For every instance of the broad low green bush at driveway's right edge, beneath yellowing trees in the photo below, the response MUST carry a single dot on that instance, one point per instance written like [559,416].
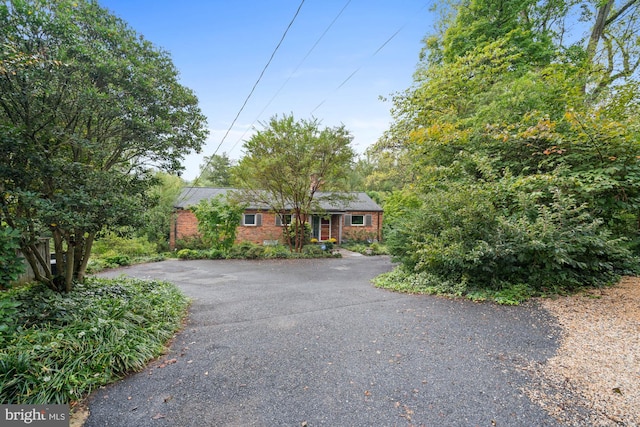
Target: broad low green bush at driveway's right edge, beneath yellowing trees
[463,240]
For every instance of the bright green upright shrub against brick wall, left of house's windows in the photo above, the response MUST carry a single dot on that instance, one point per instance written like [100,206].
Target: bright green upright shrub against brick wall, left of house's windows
[218,220]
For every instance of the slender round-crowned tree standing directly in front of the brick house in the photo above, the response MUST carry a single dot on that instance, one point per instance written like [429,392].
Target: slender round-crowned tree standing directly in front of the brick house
[289,161]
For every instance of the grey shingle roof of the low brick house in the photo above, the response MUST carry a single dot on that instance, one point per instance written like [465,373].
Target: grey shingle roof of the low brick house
[360,201]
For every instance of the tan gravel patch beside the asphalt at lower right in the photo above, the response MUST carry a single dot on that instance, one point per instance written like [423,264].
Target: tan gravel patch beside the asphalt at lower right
[594,378]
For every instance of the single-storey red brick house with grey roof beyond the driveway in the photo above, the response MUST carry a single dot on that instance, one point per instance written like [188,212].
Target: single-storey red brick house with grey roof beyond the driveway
[358,218]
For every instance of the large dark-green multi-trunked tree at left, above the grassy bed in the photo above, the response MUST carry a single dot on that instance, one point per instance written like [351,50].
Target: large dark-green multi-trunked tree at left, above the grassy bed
[92,107]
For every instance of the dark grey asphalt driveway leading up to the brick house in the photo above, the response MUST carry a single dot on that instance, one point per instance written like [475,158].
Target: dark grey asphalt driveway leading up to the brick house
[313,343]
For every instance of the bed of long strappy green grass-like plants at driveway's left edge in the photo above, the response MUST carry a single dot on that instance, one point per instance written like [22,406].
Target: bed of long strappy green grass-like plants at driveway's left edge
[58,348]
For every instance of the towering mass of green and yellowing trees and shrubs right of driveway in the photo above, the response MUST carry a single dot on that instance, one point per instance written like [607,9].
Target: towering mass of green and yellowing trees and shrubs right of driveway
[523,153]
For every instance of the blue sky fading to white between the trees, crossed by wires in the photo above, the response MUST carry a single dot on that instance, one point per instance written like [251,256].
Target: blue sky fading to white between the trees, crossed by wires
[220,48]
